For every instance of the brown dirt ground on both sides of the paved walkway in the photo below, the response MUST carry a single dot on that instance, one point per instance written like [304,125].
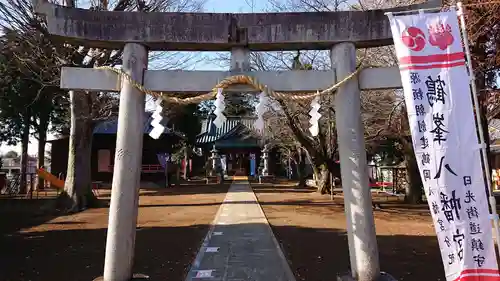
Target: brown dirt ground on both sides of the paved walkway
[36,245]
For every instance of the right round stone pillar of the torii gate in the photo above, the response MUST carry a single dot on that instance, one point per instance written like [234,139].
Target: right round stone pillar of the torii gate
[362,239]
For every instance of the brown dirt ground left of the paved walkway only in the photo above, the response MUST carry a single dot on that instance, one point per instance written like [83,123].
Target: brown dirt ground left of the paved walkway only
[44,247]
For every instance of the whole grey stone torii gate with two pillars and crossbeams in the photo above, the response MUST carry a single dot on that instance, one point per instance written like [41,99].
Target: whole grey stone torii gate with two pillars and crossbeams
[138,33]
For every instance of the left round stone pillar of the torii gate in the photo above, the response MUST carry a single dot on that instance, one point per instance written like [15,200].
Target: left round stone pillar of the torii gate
[122,224]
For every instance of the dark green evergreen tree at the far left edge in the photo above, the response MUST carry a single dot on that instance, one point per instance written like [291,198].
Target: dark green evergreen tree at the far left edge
[28,100]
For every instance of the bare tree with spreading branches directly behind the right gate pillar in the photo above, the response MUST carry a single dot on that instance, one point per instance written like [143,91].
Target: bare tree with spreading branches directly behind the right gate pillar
[292,117]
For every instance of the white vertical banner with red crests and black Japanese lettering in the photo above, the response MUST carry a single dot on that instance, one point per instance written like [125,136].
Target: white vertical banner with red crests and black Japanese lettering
[440,110]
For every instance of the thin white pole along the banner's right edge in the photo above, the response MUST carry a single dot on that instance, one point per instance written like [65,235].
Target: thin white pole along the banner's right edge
[486,168]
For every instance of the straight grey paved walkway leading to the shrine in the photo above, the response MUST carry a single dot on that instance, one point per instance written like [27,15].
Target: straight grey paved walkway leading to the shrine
[240,246]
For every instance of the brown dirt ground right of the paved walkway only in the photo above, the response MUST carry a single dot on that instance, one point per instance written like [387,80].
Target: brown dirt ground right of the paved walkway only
[312,232]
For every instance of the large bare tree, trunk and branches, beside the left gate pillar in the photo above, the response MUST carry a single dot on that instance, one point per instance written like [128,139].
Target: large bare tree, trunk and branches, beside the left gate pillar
[87,108]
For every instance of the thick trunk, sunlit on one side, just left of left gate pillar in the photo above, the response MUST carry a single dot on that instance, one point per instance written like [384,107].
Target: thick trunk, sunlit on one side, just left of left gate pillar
[77,193]
